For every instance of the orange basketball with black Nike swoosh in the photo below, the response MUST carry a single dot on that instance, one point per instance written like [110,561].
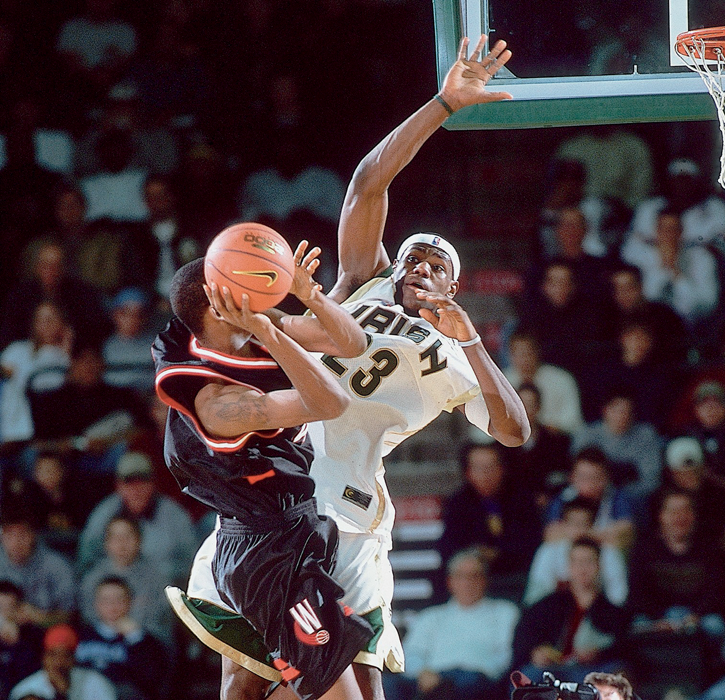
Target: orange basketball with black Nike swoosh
[251,259]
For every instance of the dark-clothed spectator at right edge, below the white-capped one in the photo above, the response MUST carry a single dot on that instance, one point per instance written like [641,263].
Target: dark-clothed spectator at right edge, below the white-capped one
[676,574]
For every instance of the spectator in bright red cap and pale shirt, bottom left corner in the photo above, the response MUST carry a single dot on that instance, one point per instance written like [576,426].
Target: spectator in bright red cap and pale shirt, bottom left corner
[60,677]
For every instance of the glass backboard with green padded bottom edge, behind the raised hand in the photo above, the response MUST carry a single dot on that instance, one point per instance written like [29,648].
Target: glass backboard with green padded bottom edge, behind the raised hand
[589,62]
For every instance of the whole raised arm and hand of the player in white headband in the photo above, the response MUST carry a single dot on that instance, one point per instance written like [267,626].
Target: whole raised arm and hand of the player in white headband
[360,234]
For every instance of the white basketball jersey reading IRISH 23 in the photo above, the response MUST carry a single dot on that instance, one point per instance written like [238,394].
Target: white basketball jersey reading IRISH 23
[408,375]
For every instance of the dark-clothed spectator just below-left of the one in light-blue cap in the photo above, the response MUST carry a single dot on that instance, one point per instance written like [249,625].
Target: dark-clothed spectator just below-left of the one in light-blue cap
[88,415]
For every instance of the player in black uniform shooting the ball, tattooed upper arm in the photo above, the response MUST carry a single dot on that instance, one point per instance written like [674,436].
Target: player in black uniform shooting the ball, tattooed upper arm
[241,390]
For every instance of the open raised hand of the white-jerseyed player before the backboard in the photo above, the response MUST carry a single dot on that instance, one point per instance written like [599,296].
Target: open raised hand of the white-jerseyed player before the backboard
[465,83]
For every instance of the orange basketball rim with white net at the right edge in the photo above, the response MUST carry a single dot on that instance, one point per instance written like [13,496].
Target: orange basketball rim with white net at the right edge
[705,47]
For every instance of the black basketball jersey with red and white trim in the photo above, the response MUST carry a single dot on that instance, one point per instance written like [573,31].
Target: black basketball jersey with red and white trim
[254,475]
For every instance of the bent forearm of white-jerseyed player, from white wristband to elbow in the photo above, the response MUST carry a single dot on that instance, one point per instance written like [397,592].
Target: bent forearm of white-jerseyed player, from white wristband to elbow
[509,423]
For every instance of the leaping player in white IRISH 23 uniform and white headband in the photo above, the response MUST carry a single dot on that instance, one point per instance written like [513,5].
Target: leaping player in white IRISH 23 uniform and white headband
[424,357]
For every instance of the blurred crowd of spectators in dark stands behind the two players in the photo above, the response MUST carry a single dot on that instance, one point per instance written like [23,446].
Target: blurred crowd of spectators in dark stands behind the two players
[130,134]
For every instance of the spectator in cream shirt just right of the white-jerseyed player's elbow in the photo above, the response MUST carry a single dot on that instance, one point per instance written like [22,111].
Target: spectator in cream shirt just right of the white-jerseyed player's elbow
[560,407]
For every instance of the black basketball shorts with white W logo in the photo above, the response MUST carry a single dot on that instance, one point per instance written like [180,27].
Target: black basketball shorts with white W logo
[279,580]
